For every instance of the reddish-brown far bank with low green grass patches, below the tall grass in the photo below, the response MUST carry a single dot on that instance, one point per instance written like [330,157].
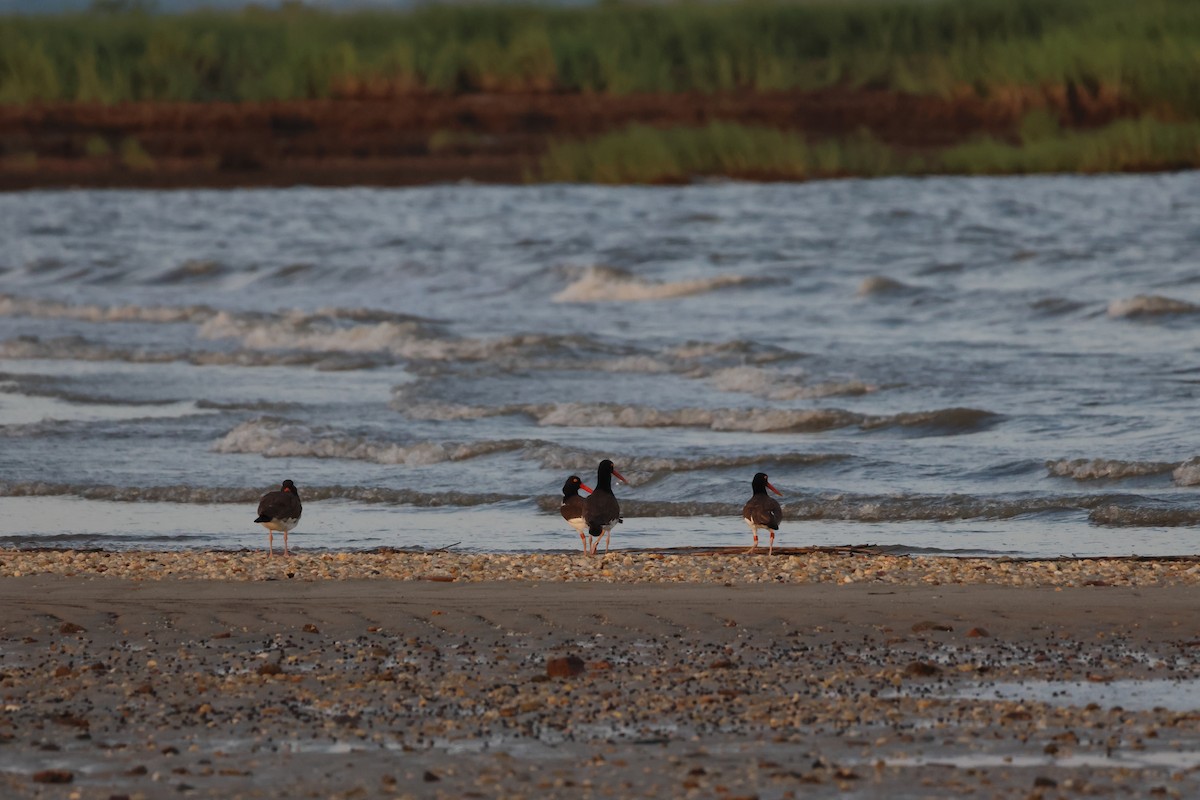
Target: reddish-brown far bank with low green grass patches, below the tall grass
[531,137]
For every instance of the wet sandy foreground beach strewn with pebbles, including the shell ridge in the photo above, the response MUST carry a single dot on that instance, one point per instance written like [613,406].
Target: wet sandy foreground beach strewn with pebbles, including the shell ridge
[218,675]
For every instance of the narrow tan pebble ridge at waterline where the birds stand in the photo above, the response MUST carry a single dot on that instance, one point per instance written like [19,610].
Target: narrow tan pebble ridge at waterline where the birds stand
[818,567]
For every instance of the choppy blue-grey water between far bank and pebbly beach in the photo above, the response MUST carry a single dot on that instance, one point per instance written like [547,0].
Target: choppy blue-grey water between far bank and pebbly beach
[998,366]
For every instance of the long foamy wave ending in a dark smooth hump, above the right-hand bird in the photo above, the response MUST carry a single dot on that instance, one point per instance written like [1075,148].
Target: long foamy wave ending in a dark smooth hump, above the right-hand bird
[752,420]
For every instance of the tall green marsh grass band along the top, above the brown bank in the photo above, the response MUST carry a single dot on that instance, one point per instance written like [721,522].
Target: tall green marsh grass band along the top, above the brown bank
[1145,51]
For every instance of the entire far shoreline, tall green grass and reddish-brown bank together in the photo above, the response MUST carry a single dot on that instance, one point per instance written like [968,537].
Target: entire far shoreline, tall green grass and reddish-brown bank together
[614,93]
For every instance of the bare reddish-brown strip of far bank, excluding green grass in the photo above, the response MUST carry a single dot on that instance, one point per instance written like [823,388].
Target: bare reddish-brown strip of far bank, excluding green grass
[433,139]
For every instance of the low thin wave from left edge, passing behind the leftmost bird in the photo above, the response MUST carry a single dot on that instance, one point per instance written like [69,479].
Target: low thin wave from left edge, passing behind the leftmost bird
[220,496]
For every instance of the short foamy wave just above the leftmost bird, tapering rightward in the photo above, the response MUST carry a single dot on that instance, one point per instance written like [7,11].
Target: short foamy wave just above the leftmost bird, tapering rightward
[274,438]
